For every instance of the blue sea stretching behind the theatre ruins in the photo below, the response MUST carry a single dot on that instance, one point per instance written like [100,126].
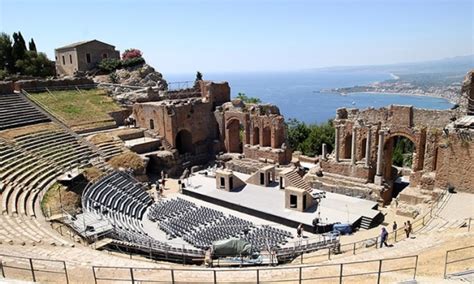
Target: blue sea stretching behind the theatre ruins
[298,95]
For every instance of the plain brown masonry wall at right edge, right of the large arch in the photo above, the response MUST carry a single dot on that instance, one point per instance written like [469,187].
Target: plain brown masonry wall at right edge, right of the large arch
[455,164]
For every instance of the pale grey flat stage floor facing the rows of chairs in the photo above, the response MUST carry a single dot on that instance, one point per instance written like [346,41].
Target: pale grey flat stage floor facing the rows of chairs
[269,203]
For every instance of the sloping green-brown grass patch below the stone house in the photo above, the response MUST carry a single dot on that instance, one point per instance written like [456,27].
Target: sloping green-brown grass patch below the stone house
[80,110]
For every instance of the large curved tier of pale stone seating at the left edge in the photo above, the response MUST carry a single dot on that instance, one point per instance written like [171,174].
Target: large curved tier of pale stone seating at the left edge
[29,165]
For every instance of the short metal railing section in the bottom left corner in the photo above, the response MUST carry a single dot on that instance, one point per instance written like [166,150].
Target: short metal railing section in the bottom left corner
[34,269]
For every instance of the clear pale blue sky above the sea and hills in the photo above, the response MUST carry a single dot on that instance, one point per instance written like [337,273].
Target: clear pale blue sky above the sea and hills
[214,36]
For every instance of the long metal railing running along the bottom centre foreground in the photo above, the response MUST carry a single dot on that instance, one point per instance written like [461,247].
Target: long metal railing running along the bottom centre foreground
[375,270]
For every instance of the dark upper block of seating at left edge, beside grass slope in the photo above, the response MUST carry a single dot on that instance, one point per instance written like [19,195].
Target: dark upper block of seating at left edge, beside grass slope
[16,111]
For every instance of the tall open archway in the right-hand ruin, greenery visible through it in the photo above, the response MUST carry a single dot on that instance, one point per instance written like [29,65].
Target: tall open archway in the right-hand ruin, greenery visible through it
[399,151]
